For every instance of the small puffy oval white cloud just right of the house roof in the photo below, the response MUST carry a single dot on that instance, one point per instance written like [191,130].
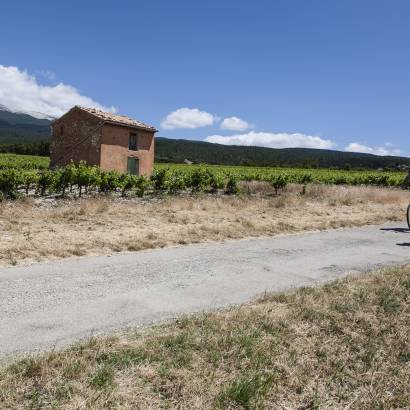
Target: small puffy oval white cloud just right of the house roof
[187,118]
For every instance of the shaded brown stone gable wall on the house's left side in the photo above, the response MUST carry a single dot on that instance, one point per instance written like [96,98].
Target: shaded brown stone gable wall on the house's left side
[75,137]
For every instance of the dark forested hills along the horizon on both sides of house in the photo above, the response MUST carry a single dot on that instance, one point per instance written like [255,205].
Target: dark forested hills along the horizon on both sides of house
[22,133]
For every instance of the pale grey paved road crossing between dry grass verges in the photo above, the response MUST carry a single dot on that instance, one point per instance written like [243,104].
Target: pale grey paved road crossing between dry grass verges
[55,303]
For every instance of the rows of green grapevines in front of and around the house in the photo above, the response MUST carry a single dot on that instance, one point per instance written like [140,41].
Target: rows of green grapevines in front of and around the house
[25,175]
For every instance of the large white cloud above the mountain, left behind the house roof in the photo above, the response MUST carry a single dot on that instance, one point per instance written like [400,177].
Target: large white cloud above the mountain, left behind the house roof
[20,91]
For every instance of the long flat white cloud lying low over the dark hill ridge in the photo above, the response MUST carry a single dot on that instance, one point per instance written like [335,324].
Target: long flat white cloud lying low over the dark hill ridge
[273,140]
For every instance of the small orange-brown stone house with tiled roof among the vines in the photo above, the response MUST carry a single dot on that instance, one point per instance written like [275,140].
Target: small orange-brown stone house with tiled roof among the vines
[111,141]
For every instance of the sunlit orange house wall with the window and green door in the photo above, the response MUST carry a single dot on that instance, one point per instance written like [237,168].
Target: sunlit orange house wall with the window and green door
[115,152]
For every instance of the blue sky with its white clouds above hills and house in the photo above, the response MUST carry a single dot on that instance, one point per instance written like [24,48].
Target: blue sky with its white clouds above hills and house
[296,73]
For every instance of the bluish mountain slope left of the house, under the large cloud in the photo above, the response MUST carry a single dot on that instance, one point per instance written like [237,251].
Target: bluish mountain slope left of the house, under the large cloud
[22,128]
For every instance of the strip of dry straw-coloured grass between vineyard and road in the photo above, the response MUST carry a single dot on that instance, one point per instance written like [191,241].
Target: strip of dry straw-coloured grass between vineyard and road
[34,230]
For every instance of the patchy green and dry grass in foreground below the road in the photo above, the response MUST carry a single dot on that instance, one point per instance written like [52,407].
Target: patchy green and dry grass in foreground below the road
[336,346]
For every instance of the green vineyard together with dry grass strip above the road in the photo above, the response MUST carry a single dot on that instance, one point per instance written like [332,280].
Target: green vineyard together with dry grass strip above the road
[80,210]
